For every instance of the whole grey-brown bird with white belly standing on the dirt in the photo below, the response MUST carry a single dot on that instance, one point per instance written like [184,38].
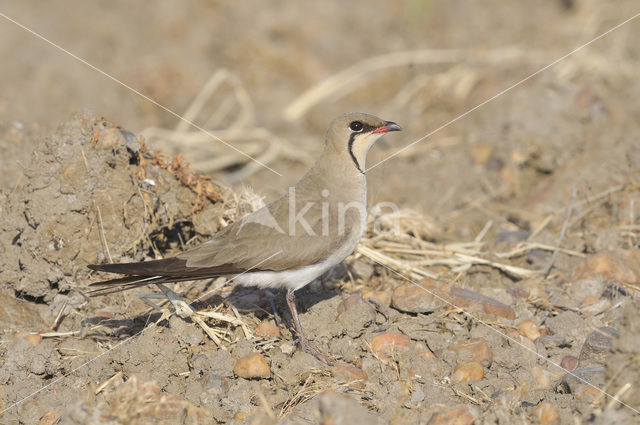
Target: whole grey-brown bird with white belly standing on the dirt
[289,242]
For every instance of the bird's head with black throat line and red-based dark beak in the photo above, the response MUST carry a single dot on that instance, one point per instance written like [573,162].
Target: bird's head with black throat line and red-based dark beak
[355,133]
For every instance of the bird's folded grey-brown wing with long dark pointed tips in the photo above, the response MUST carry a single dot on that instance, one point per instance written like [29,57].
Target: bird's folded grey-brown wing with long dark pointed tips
[260,241]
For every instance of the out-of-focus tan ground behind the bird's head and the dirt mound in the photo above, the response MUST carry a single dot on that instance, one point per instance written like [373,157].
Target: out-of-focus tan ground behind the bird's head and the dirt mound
[268,77]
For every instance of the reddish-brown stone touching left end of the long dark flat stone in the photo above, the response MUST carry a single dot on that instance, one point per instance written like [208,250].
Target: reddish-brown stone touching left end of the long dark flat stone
[426,297]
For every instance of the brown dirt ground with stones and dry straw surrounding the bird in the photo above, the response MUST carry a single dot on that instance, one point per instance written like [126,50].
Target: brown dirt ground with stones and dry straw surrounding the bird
[522,215]
